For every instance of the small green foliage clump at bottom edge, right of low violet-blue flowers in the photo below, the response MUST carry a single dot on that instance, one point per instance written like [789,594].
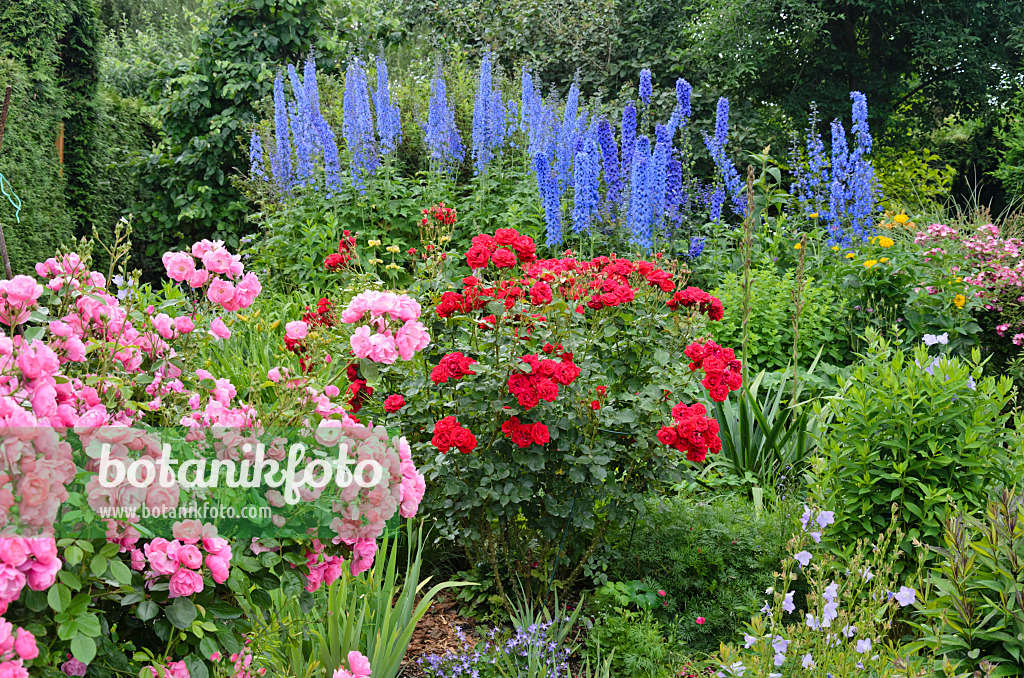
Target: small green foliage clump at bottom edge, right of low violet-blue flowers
[637,644]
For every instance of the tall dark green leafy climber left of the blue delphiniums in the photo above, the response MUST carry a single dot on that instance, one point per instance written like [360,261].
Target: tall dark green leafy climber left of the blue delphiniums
[204,113]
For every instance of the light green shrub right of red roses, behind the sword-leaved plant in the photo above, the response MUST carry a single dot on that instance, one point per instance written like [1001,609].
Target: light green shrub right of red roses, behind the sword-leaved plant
[771,344]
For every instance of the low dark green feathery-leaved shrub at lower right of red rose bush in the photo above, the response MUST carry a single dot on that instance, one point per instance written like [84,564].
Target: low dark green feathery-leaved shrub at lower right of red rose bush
[715,560]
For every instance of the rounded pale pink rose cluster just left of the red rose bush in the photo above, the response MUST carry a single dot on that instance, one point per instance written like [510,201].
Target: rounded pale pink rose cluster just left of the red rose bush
[376,341]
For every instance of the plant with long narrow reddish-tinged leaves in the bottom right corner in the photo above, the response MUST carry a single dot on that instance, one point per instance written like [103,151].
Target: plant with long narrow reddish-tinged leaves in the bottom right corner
[972,613]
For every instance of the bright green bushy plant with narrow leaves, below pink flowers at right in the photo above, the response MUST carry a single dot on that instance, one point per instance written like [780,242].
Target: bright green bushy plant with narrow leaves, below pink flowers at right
[901,435]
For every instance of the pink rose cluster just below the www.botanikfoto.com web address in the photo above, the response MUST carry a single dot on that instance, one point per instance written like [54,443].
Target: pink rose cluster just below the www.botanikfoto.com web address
[184,559]
